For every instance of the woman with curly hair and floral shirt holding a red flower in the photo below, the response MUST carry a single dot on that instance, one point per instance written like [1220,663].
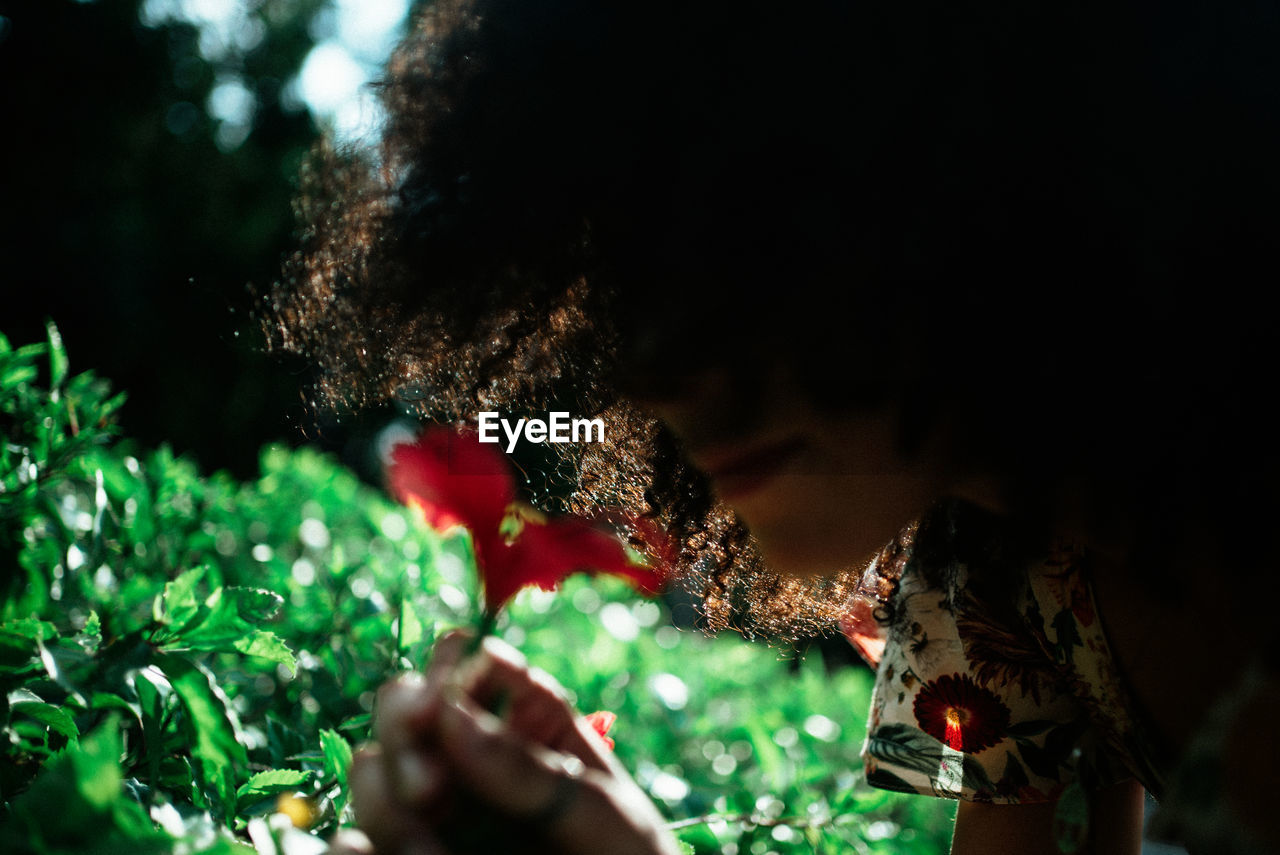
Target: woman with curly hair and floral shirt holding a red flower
[826,271]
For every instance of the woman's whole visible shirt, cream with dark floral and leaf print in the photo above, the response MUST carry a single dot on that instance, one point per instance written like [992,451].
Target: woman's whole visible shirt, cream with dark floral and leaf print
[995,680]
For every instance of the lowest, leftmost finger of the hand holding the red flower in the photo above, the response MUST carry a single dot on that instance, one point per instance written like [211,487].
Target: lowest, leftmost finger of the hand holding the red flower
[391,829]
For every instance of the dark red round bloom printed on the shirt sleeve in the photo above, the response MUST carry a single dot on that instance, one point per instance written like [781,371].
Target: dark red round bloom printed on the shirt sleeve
[961,714]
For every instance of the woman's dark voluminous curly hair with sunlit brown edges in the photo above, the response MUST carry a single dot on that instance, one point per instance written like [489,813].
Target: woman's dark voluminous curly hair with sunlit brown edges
[1037,228]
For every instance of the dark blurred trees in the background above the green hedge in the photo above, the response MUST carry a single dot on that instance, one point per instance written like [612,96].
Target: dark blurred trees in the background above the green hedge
[136,216]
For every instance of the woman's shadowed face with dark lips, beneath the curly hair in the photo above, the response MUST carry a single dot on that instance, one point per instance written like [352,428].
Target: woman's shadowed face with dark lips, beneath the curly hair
[821,493]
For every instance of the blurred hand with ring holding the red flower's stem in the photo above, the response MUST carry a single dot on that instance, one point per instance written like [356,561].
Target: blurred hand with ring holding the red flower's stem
[445,769]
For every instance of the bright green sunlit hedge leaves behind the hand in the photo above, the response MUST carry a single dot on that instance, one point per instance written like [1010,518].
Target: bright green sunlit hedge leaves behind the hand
[188,661]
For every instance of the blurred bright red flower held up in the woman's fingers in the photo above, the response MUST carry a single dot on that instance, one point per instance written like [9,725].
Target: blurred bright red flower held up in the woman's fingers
[456,481]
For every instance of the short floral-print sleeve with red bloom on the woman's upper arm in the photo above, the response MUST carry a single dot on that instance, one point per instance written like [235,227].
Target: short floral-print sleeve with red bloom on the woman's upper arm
[968,703]
